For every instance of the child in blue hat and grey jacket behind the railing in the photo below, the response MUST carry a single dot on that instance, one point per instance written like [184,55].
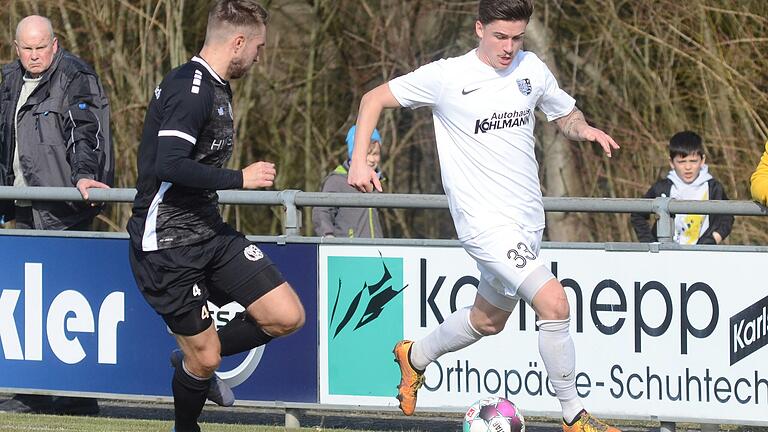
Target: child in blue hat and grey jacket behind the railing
[360,222]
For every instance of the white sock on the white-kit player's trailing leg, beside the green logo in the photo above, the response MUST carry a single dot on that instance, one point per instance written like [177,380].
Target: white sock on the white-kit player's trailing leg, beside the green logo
[455,333]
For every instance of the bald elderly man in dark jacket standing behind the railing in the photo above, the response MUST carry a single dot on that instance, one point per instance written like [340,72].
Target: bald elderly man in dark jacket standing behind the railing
[54,131]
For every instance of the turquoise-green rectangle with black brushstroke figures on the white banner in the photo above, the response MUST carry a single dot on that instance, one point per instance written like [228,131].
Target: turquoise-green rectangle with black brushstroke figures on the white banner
[365,321]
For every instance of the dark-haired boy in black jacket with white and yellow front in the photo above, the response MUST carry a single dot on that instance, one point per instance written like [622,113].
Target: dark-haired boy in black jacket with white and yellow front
[689,179]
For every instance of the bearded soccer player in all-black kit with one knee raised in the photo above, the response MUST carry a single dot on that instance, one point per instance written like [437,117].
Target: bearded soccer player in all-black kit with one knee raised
[182,253]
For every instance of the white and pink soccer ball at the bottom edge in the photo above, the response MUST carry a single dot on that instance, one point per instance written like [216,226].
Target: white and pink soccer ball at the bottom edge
[493,414]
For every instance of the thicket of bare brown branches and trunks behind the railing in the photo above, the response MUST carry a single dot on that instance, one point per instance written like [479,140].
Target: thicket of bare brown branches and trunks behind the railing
[641,70]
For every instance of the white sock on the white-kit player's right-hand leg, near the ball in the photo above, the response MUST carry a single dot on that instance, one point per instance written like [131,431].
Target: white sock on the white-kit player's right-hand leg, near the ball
[557,351]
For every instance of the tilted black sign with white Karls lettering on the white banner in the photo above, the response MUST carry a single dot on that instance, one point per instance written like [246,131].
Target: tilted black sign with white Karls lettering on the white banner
[749,330]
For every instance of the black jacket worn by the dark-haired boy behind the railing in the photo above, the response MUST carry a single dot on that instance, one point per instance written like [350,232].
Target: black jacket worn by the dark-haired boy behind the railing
[720,223]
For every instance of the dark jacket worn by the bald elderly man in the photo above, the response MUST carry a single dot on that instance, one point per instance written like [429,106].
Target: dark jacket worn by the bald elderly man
[65,135]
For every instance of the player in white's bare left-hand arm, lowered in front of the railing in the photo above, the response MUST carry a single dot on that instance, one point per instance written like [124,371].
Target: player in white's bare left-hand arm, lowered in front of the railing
[361,176]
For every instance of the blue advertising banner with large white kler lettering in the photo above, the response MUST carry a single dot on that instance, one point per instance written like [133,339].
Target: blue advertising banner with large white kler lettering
[72,319]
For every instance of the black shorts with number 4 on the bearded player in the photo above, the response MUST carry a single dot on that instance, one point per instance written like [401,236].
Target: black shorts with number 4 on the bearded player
[225,268]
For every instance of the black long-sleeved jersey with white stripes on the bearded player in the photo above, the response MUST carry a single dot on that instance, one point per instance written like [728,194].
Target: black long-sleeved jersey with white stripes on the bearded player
[188,136]
